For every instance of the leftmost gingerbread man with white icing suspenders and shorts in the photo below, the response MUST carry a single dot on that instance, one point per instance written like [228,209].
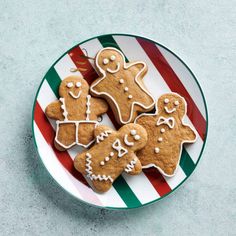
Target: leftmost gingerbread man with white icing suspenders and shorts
[76,113]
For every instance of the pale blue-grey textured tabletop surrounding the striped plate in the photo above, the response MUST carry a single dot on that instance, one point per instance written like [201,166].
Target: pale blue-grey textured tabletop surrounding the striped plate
[33,34]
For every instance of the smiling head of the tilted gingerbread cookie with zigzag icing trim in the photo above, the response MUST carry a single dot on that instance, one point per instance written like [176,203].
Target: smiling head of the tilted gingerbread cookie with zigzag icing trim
[134,136]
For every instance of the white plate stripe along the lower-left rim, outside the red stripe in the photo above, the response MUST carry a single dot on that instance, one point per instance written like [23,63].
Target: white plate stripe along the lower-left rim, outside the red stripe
[67,181]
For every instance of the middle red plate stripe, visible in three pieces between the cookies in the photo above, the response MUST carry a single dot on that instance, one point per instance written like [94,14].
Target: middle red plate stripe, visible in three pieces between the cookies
[155,178]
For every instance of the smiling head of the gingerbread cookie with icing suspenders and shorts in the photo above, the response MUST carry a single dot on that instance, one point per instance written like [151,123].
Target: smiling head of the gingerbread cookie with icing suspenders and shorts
[73,87]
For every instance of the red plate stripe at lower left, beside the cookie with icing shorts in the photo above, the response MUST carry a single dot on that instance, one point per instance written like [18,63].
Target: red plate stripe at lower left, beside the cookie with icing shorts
[49,134]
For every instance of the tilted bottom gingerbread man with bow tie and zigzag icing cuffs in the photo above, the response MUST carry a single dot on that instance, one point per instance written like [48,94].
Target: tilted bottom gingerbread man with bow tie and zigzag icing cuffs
[113,153]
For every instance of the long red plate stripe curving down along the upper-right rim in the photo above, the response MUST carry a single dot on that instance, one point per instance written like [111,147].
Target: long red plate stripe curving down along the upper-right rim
[174,84]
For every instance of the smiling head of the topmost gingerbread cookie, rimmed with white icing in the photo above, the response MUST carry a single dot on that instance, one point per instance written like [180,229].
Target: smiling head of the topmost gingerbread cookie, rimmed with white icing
[109,60]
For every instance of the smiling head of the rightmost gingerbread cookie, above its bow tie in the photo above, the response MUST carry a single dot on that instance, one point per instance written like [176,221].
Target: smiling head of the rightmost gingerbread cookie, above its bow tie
[171,104]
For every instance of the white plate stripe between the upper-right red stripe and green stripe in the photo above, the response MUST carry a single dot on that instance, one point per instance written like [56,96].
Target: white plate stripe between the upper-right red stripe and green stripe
[154,82]
